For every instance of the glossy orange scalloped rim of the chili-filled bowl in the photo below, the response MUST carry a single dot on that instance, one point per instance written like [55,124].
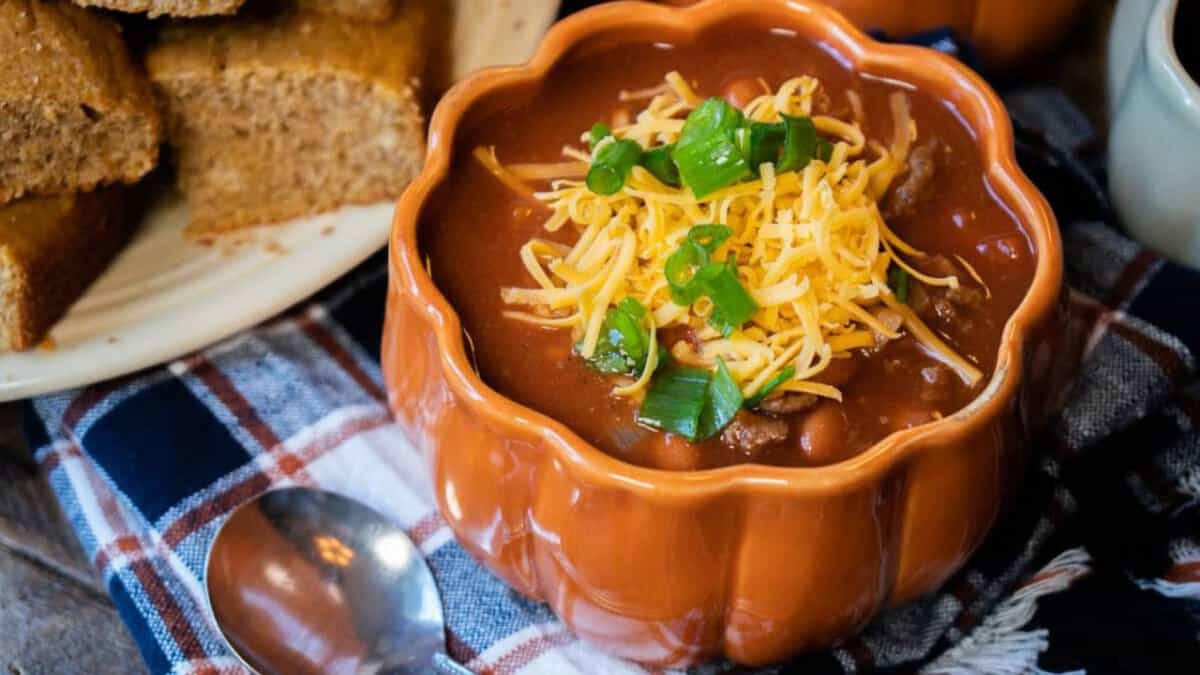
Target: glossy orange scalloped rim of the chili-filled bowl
[1003,175]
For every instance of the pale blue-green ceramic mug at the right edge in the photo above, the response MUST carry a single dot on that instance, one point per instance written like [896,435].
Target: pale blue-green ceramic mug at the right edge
[1155,138]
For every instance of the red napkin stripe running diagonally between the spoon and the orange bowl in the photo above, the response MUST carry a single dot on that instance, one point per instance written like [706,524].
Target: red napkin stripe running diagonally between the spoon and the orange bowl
[262,481]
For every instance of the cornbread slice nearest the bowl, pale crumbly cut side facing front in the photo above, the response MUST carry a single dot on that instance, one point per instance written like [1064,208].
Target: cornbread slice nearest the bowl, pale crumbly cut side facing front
[290,115]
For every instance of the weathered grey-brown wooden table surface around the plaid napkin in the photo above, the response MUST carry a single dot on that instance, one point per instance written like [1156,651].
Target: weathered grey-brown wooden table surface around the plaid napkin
[56,616]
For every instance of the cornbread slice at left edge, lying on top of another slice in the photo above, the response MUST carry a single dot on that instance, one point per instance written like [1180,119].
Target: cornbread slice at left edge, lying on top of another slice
[76,111]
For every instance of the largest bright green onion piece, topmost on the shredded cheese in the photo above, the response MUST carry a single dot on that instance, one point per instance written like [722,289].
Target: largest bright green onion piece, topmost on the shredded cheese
[707,153]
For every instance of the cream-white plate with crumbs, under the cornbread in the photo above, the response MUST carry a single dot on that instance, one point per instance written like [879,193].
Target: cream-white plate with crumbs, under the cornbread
[165,296]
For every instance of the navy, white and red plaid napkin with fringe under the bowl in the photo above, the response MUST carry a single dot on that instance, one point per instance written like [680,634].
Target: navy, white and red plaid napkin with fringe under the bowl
[1096,569]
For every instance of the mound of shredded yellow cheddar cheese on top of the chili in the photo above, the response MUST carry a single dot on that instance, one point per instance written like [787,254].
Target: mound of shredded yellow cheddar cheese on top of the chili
[811,247]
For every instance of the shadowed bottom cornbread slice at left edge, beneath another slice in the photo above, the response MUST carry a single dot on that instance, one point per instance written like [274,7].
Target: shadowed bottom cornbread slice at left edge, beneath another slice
[51,250]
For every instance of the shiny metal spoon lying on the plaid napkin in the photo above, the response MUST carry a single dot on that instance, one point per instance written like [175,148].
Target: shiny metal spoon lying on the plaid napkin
[302,581]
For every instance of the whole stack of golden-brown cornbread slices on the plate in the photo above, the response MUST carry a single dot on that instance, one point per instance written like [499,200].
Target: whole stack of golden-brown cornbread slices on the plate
[275,111]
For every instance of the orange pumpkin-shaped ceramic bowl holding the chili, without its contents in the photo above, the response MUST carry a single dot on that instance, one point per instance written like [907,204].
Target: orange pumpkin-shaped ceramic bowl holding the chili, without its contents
[753,563]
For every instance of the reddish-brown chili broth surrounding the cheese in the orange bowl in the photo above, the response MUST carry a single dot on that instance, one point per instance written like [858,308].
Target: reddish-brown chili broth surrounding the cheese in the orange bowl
[475,229]
